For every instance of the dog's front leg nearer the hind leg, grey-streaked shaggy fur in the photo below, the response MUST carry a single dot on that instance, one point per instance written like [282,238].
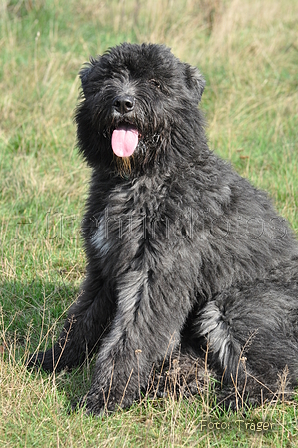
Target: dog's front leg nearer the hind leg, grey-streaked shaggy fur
[145,330]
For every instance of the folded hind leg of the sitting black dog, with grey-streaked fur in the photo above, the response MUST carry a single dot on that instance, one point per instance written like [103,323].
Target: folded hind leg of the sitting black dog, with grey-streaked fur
[252,334]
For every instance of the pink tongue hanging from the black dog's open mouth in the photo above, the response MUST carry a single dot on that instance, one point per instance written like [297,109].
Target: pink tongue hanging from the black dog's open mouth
[124,141]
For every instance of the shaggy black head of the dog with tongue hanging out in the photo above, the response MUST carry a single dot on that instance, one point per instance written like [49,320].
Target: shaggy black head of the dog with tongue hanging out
[134,99]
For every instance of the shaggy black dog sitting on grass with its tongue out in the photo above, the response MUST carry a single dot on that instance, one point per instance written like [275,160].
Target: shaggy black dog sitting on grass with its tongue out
[183,255]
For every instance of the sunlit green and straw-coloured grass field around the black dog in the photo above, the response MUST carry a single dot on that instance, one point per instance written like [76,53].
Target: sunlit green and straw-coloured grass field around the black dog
[248,52]
